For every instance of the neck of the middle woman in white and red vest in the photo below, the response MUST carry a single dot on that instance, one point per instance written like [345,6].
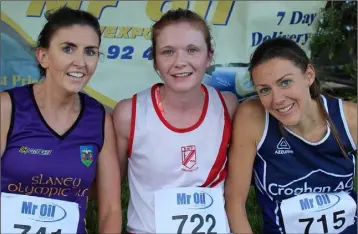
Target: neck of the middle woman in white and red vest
[182,101]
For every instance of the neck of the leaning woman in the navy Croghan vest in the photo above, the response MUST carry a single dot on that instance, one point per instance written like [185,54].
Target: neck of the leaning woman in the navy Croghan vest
[312,119]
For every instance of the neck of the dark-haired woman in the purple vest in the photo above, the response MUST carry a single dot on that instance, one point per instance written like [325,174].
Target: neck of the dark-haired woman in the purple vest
[54,98]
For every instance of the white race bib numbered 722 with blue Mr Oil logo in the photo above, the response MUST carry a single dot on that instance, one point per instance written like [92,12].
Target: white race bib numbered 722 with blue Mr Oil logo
[190,210]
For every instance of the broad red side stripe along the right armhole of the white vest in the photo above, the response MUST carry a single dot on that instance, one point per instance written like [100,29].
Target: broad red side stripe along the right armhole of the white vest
[222,154]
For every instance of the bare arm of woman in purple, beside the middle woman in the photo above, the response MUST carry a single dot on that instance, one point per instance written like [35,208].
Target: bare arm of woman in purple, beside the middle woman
[109,183]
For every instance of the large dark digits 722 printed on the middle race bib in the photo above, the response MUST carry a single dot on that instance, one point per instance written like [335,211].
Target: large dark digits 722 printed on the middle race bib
[209,218]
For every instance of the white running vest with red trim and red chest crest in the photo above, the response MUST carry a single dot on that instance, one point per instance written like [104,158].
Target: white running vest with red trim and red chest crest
[161,156]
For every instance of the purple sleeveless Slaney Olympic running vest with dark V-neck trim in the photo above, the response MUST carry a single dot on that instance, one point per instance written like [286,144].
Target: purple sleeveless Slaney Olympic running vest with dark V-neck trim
[39,162]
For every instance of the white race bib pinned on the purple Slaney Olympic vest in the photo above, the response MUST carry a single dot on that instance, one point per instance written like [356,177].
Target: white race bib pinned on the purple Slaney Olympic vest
[28,214]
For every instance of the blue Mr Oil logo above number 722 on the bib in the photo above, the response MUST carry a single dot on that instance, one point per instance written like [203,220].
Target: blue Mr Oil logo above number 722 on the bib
[195,200]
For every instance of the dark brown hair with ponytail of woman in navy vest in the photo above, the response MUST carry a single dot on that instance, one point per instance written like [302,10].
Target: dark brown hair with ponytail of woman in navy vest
[288,49]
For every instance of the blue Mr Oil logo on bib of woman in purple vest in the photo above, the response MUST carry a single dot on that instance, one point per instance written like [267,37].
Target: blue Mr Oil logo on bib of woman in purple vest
[43,212]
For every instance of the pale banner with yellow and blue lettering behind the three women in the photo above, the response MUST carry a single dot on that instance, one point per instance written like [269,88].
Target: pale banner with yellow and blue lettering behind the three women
[125,68]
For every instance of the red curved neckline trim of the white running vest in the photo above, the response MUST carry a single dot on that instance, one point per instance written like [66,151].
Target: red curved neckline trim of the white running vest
[171,127]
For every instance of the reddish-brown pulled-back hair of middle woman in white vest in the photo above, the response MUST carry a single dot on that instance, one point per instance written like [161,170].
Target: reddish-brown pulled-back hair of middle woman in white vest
[179,16]
